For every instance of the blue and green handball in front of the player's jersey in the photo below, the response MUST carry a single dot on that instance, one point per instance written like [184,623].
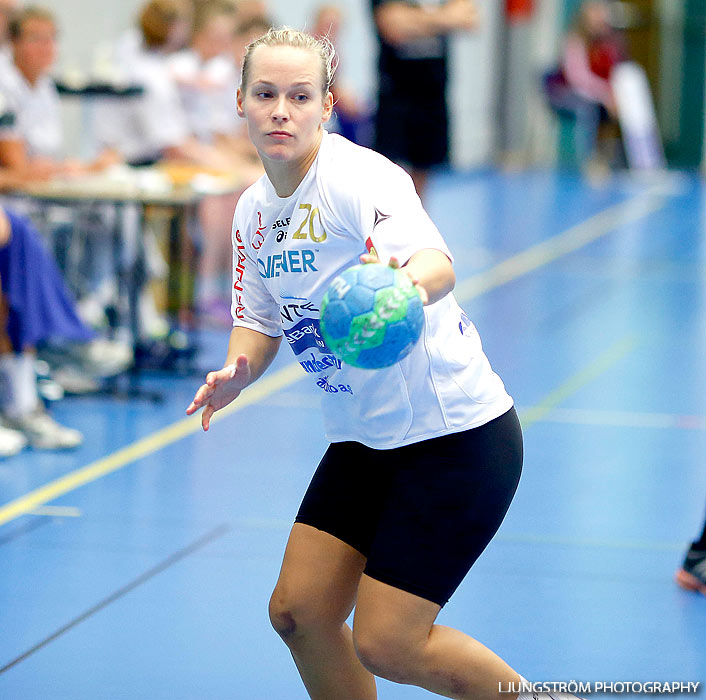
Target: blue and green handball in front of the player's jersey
[371,316]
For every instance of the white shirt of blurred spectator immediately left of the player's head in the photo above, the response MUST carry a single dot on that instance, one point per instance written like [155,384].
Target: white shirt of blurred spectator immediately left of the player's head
[207,90]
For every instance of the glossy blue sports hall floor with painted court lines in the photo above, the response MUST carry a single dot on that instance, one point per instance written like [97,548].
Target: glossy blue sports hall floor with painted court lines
[140,566]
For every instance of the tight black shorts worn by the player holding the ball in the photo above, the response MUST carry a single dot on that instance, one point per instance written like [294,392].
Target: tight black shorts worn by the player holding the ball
[423,513]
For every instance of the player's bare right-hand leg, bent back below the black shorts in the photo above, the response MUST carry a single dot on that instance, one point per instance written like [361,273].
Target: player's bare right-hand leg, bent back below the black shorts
[396,638]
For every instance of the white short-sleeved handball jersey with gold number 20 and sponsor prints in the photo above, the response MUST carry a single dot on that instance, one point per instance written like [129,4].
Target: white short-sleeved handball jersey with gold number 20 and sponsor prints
[288,250]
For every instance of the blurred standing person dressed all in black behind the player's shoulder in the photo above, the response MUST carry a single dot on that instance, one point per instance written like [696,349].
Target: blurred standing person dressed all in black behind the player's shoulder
[411,125]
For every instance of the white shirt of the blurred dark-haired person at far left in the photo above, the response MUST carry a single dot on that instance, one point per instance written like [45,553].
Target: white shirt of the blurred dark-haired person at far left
[37,112]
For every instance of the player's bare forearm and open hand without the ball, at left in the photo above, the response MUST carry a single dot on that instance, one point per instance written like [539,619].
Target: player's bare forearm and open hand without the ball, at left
[250,353]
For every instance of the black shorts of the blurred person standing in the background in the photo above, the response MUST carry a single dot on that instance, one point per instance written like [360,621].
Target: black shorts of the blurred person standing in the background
[411,131]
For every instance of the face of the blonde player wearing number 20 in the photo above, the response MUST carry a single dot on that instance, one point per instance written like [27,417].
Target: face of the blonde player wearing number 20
[283,102]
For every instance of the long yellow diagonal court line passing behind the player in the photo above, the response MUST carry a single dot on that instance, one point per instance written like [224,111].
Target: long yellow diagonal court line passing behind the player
[531,259]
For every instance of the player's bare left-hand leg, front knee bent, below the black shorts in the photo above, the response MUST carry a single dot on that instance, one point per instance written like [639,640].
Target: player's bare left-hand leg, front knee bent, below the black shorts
[313,598]
